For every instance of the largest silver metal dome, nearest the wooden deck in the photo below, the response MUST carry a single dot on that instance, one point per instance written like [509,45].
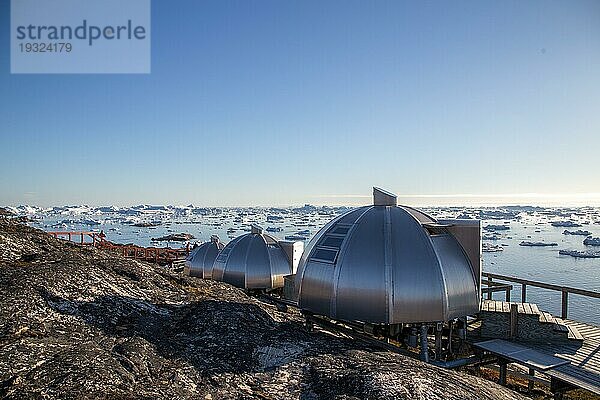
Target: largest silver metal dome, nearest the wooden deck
[387,264]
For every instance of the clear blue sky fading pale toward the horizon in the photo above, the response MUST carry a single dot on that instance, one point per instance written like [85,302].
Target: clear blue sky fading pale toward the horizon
[286,102]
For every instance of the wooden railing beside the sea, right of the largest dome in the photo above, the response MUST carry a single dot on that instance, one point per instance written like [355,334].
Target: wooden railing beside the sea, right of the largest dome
[564,290]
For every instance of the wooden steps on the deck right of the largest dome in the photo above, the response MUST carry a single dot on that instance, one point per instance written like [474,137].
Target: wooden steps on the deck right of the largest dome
[523,322]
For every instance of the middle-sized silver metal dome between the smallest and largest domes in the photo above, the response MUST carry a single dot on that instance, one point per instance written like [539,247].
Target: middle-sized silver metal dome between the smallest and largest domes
[252,261]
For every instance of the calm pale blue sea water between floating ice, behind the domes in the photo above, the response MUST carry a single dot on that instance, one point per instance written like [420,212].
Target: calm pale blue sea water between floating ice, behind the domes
[535,263]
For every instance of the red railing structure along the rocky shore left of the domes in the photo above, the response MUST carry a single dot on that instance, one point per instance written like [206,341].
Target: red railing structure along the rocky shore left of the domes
[164,255]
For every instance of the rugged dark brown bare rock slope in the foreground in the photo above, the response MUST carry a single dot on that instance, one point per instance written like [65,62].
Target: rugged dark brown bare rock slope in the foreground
[84,323]
